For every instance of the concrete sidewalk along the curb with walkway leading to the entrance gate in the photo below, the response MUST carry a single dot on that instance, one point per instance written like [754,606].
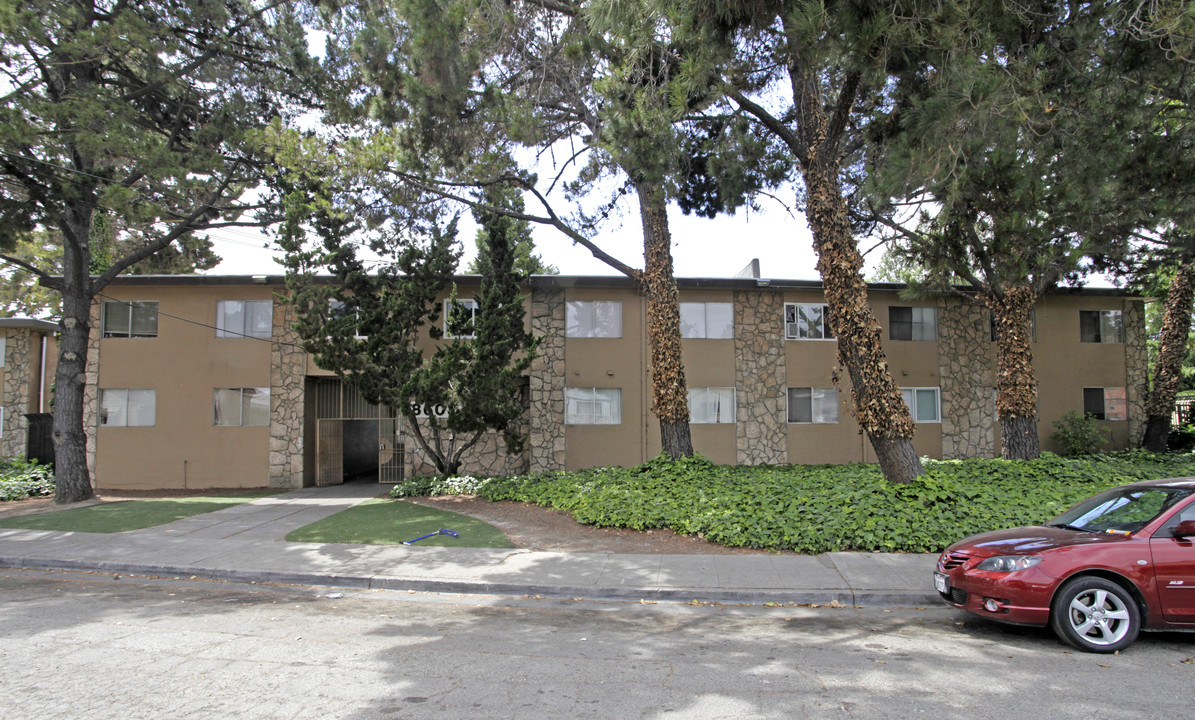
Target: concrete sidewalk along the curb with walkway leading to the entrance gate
[244,544]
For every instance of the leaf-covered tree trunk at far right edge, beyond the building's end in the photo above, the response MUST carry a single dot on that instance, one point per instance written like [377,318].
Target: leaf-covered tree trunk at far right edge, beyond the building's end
[1176,327]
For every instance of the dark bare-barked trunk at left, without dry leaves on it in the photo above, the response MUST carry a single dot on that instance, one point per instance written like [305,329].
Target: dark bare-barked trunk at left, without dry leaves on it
[72,481]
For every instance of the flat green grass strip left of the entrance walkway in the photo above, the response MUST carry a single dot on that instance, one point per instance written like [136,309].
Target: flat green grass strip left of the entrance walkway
[130,515]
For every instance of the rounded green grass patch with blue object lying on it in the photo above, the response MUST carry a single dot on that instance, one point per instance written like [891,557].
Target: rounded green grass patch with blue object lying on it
[393,522]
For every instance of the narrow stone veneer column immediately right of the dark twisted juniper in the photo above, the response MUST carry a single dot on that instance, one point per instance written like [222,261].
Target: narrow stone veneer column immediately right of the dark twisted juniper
[547,441]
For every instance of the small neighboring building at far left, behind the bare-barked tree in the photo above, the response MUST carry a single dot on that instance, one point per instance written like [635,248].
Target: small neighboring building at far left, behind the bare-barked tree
[28,360]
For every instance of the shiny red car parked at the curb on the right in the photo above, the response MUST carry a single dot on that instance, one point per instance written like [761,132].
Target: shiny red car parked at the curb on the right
[1099,574]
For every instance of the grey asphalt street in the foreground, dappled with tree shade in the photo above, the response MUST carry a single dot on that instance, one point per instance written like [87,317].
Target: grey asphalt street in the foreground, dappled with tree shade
[91,645]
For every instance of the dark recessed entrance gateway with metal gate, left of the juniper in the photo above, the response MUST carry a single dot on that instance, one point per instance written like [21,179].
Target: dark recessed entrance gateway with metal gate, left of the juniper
[356,440]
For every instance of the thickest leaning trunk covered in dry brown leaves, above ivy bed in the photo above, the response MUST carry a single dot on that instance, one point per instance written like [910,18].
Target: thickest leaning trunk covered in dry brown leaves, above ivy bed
[879,404]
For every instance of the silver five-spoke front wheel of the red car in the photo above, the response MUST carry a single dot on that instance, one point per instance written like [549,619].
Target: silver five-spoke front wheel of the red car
[1095,616]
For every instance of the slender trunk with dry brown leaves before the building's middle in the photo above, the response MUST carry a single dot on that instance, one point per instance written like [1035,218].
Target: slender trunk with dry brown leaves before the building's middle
[670,392]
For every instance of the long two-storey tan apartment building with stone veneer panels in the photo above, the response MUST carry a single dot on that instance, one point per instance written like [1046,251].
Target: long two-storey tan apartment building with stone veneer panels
[199,381]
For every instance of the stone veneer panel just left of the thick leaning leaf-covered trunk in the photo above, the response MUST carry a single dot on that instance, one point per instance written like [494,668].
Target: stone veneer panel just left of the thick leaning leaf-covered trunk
[762,433]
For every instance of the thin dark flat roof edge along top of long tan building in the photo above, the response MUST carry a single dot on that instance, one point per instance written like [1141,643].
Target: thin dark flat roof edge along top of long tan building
[587,281]
